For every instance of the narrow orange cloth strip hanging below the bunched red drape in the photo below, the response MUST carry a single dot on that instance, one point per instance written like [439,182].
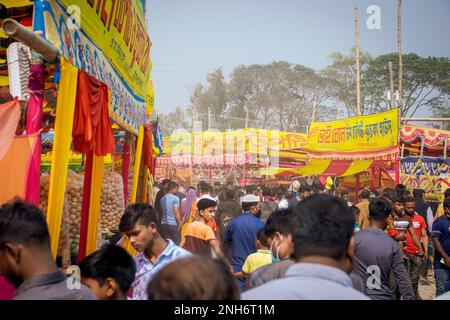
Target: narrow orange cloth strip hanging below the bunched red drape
[94,208]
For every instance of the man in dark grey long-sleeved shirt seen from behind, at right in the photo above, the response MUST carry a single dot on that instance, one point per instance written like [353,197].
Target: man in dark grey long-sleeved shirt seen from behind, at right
[377,255]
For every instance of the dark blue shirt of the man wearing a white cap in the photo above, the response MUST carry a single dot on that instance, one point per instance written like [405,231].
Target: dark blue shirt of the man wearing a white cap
[240,236]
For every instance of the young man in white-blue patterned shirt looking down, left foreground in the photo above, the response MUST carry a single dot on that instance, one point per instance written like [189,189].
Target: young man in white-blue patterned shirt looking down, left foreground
[140,225]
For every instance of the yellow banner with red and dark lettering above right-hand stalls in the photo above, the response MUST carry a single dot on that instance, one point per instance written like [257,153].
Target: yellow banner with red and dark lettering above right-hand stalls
[357,134]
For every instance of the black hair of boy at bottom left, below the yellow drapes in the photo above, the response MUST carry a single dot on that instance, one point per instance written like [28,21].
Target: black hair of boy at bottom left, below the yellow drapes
[110,262]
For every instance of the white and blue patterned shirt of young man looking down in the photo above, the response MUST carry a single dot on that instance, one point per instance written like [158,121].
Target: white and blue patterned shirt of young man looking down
[145,270]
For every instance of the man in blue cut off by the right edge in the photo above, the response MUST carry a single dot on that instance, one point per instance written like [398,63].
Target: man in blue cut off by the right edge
[441,241]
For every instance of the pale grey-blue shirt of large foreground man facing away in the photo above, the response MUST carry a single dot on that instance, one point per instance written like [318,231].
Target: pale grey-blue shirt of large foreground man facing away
[308,281]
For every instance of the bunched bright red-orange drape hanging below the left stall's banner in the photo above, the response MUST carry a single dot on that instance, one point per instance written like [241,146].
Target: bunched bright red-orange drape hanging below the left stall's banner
[92,125]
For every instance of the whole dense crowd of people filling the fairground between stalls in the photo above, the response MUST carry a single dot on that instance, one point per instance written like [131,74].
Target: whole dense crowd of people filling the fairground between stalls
[226,242]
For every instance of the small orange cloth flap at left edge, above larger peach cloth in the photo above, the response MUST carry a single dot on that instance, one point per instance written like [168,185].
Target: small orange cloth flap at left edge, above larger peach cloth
[9,118]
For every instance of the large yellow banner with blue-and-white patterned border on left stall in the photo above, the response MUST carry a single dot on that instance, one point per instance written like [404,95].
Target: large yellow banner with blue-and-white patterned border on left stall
[107,39]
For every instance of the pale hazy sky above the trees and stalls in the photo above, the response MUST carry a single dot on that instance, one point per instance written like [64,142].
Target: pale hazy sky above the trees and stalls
[193,37]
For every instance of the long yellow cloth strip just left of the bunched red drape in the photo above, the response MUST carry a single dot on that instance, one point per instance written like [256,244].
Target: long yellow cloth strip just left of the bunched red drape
[61,149]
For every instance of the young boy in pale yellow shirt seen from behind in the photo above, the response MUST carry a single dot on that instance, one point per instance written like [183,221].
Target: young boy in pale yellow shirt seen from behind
[258,259]
